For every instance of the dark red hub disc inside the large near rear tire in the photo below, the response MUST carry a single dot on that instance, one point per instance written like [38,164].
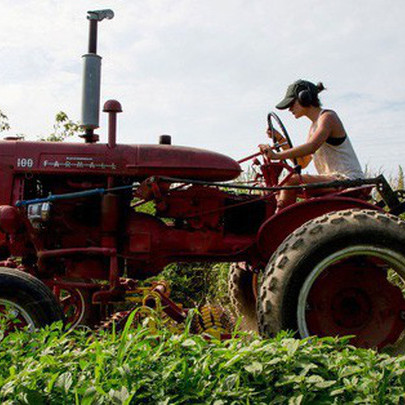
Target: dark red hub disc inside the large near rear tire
[352,296]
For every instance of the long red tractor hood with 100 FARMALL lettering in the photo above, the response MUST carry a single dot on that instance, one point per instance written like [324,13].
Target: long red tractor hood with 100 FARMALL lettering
[136,161]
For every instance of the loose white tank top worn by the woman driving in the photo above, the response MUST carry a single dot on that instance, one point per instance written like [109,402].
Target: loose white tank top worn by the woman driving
[338,159]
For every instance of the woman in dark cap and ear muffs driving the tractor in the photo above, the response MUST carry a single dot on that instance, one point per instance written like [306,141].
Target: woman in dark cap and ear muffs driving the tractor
[332,152]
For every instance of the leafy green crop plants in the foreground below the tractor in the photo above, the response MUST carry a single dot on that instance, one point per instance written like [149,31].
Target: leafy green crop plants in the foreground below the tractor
[153,366]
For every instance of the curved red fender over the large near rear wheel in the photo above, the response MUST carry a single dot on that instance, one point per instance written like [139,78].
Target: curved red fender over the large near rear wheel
[279,226]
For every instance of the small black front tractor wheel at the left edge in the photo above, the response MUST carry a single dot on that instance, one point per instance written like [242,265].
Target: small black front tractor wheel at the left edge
[28,299]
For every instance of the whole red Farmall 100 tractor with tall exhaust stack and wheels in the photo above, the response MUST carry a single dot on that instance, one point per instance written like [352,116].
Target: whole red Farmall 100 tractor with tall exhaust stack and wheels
[76,244]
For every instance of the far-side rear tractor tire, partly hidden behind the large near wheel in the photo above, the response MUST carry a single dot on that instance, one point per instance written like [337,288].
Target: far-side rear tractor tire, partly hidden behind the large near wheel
[242,286]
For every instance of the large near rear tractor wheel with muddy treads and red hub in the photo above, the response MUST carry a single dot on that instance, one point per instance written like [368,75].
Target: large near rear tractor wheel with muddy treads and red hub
[329,278]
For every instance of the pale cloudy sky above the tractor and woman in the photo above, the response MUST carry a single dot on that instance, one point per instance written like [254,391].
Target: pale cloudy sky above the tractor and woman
[208,72]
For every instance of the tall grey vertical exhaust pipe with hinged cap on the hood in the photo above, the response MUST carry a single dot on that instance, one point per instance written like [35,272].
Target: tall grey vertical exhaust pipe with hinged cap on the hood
[92,78]
